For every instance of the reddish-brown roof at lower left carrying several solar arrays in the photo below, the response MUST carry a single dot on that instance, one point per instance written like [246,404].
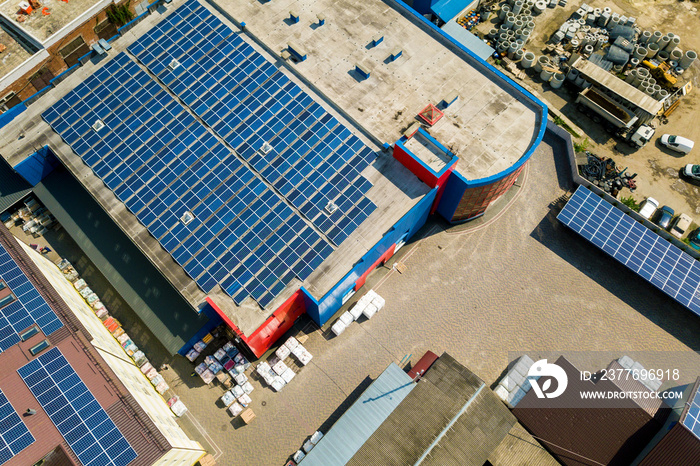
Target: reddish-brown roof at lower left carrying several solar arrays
[81,408]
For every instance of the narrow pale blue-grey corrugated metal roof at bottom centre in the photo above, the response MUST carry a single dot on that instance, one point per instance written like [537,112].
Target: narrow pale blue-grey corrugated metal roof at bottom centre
[360,421]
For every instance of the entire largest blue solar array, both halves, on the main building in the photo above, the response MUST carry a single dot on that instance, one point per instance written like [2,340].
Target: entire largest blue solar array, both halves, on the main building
[163,163]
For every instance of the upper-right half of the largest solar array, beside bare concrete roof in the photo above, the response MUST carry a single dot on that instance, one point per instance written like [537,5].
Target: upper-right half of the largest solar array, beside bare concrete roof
[313,159]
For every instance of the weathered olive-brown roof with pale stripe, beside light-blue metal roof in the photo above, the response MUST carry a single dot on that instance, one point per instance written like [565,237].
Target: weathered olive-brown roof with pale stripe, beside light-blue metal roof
[451,417]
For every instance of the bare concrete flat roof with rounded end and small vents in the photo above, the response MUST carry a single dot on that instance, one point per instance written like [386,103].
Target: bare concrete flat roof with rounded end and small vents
[489,127]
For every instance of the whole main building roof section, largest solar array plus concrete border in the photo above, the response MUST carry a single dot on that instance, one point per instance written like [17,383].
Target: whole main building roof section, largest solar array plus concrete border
[323,160]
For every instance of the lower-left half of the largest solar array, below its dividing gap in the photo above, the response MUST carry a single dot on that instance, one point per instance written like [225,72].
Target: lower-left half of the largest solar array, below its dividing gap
[162,163]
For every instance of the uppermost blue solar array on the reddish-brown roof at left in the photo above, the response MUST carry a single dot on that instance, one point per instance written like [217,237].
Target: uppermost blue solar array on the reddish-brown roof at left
[29,307]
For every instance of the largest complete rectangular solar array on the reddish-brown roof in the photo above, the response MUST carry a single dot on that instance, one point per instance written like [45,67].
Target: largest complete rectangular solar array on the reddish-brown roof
[75,412]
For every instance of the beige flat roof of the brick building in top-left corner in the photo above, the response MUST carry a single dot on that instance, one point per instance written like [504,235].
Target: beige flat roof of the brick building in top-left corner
[43,26]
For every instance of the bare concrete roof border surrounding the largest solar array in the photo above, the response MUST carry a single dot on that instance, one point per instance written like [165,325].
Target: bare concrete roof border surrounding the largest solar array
[394,191]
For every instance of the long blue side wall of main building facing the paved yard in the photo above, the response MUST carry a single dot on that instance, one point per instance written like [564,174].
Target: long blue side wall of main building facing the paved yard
[321,311]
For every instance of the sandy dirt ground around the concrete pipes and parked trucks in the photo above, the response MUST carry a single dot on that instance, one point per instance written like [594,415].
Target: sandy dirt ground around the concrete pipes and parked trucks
[656,166]
